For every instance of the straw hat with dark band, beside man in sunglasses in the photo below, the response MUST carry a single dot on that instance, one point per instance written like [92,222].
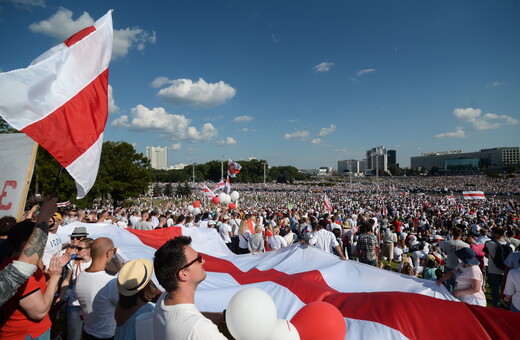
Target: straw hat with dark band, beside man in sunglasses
[134,276]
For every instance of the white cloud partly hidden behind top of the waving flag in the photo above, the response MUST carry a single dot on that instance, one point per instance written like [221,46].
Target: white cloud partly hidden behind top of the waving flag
[61,25]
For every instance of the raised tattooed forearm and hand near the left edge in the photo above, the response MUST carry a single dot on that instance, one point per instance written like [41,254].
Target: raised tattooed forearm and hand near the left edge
[33,250]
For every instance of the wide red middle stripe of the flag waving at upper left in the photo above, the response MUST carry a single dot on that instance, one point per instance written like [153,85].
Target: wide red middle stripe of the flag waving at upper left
[80,122]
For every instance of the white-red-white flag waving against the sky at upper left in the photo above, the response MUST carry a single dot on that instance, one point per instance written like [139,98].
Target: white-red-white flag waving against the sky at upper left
[61,100]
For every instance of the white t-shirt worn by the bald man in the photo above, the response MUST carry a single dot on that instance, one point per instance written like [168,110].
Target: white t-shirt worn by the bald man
[97,294]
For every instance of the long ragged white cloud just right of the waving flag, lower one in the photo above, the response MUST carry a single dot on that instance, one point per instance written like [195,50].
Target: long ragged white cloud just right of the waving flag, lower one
[171,126]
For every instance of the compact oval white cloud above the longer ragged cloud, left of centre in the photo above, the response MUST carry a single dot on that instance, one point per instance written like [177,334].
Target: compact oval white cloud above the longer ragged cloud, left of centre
[202,94]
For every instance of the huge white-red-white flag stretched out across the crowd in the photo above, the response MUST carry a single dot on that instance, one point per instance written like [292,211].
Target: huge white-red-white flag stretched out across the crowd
[375,303]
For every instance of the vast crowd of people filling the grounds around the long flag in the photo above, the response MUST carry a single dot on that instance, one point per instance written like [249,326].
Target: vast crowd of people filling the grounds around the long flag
[466,245]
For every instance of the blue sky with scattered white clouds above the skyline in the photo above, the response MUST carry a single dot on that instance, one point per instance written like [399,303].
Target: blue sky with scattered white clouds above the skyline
[303,83]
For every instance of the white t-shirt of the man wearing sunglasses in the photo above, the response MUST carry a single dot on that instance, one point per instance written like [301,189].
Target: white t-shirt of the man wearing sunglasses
[182,322]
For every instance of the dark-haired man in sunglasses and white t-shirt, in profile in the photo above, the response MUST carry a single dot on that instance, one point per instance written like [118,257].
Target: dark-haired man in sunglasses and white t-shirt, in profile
[180,269]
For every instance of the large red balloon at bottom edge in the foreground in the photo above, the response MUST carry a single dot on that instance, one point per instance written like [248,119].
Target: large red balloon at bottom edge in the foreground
[320,320]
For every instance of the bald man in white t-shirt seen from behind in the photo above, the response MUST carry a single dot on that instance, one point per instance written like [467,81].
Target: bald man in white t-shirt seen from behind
[97,292]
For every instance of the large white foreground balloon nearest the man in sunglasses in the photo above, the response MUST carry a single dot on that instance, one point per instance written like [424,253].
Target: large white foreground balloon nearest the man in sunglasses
[251,315]
